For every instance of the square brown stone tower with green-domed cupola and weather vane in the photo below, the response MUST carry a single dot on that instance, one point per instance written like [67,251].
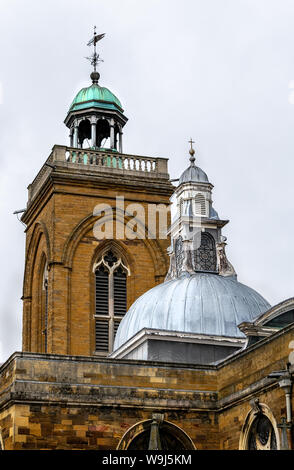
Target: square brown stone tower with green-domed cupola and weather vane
[78,284]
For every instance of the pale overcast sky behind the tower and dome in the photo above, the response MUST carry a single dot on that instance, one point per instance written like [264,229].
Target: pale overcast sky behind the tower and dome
[220,71]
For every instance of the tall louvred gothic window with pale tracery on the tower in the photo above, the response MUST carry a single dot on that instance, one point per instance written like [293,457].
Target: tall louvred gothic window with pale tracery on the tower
[110,299]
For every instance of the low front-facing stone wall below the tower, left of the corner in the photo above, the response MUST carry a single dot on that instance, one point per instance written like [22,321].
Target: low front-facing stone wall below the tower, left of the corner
[67,402]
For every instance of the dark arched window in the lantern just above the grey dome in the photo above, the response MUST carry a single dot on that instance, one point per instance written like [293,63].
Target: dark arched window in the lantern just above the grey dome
[205,255]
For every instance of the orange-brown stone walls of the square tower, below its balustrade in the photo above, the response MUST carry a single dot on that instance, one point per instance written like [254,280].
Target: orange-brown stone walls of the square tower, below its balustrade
[60,224]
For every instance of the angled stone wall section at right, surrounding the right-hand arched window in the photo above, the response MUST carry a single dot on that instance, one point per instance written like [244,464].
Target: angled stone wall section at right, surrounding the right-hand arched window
[244,378]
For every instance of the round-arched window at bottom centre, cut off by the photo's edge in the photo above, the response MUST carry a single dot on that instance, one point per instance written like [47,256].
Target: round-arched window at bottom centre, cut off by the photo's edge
[154,434]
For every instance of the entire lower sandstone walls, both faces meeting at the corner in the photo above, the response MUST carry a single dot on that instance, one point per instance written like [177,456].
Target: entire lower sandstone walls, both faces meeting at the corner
[72,402]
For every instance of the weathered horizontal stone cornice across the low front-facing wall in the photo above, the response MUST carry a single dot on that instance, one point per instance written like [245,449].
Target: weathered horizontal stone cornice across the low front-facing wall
[108,395]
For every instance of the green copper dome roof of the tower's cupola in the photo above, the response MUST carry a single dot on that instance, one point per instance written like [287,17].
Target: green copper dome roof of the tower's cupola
[97,97]
